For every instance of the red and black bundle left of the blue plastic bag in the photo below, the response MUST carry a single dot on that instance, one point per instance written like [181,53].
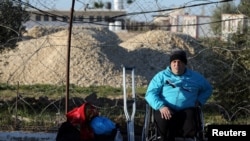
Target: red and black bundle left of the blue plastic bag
[81,117]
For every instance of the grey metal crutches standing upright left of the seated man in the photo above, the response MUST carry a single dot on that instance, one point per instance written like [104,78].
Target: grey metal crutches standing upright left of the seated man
[130,119]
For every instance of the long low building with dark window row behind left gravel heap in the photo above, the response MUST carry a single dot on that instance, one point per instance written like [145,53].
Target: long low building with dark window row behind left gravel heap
[114,19]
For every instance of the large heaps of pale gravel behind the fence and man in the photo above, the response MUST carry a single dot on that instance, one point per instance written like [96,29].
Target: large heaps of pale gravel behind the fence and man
[96,57]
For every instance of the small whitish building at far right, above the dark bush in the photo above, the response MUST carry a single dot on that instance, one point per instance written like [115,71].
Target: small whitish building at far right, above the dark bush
[232,23]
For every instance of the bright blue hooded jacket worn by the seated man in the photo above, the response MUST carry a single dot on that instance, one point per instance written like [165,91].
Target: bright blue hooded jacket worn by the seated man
[177,91]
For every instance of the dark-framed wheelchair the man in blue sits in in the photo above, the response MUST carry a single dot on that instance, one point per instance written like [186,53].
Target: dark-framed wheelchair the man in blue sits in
[149,131]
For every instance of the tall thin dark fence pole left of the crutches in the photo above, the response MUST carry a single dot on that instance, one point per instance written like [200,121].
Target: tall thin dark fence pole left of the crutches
[68,58]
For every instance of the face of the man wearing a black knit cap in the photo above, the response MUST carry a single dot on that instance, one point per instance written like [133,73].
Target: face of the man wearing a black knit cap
[177,67]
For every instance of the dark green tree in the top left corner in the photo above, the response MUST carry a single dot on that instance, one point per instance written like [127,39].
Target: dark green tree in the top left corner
[12,15]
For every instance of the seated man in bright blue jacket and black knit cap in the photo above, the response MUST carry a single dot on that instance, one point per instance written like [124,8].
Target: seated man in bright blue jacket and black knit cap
[174,93]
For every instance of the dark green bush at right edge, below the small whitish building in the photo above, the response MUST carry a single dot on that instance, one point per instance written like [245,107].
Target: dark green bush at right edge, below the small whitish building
[231,90]
